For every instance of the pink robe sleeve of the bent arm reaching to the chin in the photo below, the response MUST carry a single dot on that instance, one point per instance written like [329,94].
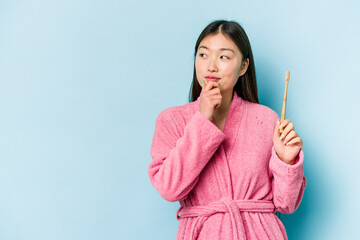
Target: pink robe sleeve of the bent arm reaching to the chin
[178,157]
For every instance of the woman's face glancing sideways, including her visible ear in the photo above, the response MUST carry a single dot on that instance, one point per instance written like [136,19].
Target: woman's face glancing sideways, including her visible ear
[219,59]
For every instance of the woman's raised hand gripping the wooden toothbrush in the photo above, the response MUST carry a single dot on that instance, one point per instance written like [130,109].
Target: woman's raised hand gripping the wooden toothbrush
[288,144]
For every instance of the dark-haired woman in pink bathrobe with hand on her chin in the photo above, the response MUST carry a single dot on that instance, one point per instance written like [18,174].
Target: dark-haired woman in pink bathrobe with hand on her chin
[222,155]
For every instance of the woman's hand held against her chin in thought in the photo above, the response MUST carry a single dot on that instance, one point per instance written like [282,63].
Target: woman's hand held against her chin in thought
[210,99]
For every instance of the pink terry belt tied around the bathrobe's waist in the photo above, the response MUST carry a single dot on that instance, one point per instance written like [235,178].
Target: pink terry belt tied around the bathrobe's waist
[226,204]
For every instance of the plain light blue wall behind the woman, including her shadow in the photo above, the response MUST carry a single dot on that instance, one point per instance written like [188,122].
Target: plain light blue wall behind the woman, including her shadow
[82,82]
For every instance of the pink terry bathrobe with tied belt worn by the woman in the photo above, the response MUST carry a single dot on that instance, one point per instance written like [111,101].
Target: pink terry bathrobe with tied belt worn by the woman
[229,184]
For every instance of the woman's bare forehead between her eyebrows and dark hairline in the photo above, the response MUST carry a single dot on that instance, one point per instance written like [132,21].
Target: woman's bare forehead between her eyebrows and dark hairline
[218,41]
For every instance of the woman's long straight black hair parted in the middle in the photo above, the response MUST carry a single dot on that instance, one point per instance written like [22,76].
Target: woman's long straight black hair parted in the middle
[246,86]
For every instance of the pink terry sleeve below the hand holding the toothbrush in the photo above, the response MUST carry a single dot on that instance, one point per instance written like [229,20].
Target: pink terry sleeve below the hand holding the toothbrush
[288,182]
